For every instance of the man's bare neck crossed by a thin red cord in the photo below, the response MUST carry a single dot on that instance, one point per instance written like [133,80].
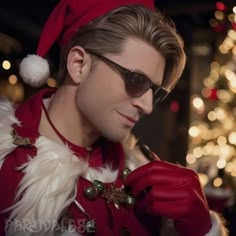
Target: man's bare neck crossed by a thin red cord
[67,119]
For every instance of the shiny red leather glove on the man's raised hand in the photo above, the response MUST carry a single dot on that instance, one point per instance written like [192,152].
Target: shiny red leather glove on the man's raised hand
[165,189]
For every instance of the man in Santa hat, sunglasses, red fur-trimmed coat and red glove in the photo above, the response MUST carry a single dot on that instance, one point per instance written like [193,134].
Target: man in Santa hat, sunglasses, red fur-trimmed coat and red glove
[63,166]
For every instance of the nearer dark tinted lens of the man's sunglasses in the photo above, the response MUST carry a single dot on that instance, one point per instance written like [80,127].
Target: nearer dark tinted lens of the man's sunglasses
[136,84]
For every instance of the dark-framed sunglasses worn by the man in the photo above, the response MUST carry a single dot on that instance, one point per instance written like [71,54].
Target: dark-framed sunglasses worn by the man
[136,84]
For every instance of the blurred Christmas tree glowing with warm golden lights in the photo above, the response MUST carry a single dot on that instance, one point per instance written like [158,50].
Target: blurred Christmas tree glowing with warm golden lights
[212,131]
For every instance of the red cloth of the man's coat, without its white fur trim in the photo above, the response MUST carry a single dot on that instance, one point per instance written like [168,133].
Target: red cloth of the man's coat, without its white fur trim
[109,219]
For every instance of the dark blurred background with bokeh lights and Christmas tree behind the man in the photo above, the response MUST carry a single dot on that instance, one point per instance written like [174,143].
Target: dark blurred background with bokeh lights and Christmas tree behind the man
[196,125]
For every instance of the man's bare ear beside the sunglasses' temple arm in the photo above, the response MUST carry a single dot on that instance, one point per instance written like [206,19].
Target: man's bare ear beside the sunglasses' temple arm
[78,64]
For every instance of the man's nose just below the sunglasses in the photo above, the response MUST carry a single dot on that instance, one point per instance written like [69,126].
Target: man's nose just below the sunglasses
[144,102]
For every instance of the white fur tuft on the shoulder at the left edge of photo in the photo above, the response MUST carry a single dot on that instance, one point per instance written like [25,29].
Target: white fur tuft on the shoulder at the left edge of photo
[7,118]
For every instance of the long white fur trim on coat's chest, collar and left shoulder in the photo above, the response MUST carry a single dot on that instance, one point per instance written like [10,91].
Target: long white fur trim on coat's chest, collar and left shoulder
[50,178]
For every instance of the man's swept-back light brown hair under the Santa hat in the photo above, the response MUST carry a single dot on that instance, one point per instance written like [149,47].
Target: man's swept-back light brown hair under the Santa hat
[108,33]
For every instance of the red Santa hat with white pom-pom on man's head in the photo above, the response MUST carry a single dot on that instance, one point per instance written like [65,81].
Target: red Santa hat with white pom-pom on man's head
[63,22]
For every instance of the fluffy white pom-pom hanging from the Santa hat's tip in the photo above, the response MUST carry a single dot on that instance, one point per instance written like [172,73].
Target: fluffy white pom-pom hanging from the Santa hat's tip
[34,70]
